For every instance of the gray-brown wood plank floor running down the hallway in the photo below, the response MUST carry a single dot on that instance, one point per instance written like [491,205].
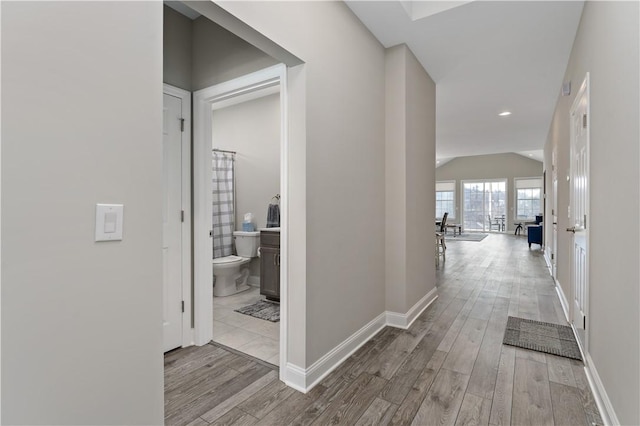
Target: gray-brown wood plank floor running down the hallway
[449,367]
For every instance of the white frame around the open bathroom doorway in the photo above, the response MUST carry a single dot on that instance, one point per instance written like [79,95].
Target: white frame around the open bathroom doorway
[237,90]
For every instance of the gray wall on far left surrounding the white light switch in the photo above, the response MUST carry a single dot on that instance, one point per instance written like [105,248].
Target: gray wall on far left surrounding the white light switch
[81,124]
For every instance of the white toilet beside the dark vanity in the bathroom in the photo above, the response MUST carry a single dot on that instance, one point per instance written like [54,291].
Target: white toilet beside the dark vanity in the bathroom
[228,278]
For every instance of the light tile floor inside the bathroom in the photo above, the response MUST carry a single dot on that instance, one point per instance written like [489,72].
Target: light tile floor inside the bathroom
[253,336]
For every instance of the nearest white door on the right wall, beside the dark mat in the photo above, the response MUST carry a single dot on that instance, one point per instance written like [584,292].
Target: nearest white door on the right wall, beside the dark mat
[579,211]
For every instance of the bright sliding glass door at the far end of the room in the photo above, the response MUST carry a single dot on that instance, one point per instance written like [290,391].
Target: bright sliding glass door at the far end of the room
[484,205]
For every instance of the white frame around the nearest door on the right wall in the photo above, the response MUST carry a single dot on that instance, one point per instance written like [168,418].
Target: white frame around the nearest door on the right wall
[584,91]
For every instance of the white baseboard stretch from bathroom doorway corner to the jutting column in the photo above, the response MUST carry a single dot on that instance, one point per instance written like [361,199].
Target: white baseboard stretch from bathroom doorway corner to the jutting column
[304,380]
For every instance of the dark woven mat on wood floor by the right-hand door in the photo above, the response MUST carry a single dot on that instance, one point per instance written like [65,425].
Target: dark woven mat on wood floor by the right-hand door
[544,337]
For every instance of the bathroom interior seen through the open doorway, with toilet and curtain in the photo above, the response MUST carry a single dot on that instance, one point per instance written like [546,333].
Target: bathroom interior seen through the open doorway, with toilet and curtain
[245,209]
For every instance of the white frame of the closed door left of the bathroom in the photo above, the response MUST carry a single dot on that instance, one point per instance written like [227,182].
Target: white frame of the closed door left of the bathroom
[187,330]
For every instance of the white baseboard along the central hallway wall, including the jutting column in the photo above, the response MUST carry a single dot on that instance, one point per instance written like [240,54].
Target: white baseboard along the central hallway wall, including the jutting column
[304,379]
